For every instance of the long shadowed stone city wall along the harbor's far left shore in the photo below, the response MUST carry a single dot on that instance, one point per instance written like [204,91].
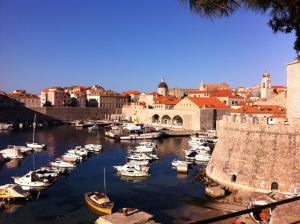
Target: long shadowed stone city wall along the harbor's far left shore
[18,114]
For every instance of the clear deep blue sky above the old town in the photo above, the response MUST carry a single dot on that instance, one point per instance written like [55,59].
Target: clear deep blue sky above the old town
[131,44]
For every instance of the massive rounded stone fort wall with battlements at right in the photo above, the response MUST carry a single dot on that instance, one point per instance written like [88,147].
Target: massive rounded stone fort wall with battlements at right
[251,155]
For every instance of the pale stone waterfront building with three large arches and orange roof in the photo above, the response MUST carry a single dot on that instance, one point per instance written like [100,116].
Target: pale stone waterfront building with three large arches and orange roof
[197,114]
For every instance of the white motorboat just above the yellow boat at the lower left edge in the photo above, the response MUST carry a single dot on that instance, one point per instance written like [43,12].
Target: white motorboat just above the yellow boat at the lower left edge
[31,182]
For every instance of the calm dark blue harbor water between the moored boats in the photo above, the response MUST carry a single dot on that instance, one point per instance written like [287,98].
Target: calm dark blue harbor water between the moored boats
[163,194]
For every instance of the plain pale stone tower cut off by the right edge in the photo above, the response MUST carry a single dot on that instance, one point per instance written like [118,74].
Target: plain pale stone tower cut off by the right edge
[293,91]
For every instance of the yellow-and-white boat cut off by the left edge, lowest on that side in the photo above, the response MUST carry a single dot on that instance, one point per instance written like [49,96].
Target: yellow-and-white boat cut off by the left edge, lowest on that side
[12,192]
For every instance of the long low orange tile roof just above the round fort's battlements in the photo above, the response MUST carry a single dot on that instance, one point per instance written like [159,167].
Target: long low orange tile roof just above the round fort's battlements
[260,109]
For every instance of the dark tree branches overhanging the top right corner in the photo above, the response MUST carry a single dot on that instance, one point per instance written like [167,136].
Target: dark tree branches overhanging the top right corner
[285,14]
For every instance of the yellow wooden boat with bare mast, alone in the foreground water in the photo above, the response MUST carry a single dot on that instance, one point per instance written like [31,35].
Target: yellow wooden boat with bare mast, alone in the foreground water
[99,201]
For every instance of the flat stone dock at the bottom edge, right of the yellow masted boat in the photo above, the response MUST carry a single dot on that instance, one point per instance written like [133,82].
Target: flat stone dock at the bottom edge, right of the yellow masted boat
[131,217]
